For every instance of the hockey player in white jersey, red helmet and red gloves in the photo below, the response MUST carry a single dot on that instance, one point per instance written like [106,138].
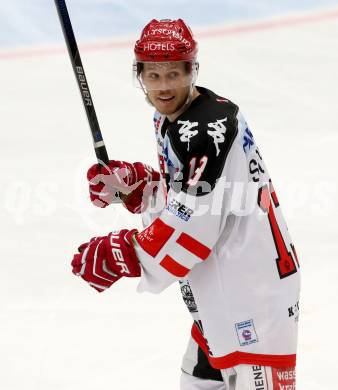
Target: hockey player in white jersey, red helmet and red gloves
[212,222]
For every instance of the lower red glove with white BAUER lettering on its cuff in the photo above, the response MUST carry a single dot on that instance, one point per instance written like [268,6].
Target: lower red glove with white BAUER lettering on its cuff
[104,260]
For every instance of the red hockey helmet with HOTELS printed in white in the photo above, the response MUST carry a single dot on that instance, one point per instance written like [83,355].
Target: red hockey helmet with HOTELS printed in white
[164,41]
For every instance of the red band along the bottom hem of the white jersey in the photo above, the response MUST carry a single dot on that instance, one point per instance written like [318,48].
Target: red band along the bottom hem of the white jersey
[236,358]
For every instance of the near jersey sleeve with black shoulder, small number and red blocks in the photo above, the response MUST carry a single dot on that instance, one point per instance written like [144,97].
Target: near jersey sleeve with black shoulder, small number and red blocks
[184,234]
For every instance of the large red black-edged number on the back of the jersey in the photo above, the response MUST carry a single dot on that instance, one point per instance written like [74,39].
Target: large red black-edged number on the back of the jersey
[285,262]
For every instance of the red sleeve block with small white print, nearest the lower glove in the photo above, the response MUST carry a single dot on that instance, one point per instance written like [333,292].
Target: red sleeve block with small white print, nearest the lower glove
[154,237]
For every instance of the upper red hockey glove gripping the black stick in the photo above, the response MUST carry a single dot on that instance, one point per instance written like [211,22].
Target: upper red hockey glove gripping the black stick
[137,182]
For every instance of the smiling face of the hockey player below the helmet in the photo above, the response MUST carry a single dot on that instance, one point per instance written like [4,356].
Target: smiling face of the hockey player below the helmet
[167,85]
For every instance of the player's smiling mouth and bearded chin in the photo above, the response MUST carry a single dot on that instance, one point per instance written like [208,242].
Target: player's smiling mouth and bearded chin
[169,102]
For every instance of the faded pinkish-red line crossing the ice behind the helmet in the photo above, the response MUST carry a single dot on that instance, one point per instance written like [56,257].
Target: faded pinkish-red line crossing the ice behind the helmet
[220,31]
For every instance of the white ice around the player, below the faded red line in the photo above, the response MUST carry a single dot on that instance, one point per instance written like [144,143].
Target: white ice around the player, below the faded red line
[57,333]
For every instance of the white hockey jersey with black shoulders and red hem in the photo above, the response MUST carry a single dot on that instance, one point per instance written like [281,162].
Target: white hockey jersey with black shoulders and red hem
[216,227]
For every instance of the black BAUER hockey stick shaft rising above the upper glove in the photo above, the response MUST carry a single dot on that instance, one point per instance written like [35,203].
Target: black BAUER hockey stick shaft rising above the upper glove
[100,149]
